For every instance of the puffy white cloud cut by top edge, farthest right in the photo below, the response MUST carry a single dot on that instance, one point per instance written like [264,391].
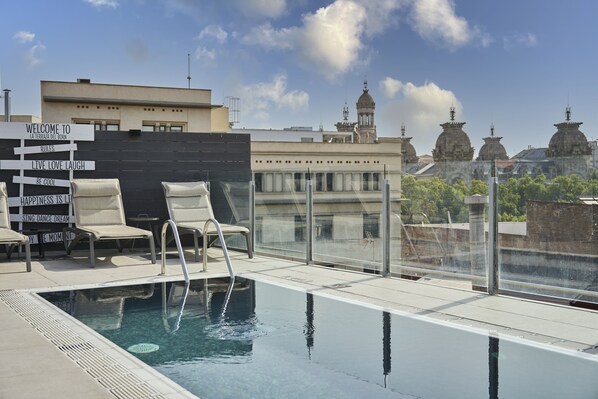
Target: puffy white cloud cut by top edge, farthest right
[436,21]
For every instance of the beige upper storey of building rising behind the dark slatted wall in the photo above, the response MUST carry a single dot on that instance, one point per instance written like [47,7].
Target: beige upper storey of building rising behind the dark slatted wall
[129,106]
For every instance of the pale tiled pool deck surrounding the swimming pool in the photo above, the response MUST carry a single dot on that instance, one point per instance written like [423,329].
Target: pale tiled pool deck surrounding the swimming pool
[45,353]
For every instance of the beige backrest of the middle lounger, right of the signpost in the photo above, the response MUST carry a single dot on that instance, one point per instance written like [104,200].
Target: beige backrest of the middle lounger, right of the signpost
[97,202]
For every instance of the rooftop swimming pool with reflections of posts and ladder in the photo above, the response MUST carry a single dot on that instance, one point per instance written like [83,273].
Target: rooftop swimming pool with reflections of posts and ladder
[257,340]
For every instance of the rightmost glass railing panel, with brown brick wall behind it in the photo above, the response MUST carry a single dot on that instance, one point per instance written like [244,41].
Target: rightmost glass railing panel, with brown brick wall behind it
[548,235]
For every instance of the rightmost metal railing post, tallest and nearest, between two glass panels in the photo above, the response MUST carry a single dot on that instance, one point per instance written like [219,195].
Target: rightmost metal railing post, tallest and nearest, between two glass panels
[493,232]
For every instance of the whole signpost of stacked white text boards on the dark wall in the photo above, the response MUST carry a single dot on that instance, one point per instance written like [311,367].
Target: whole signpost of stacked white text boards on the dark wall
[58,132]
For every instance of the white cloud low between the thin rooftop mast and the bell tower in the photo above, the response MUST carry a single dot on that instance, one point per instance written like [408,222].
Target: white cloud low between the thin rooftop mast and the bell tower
[260,98]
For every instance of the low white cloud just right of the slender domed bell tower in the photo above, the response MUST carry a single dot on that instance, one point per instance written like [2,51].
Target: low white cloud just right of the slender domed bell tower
[421,108]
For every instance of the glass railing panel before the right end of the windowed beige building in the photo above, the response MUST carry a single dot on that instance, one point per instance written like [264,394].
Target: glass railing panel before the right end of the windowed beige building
[348,222]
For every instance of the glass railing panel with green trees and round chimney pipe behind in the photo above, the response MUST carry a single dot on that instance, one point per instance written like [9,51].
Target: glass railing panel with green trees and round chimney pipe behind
[441,224]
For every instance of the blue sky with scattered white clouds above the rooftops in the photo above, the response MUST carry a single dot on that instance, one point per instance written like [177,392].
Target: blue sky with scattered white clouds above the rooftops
[513,63]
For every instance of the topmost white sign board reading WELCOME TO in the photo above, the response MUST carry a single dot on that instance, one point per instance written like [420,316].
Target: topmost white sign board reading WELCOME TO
[46,131]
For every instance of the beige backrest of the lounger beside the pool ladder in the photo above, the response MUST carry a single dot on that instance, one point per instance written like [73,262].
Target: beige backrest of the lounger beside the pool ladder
[188,202]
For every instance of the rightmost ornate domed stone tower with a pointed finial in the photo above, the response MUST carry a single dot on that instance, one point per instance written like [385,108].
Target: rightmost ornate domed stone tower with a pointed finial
[569,148]
